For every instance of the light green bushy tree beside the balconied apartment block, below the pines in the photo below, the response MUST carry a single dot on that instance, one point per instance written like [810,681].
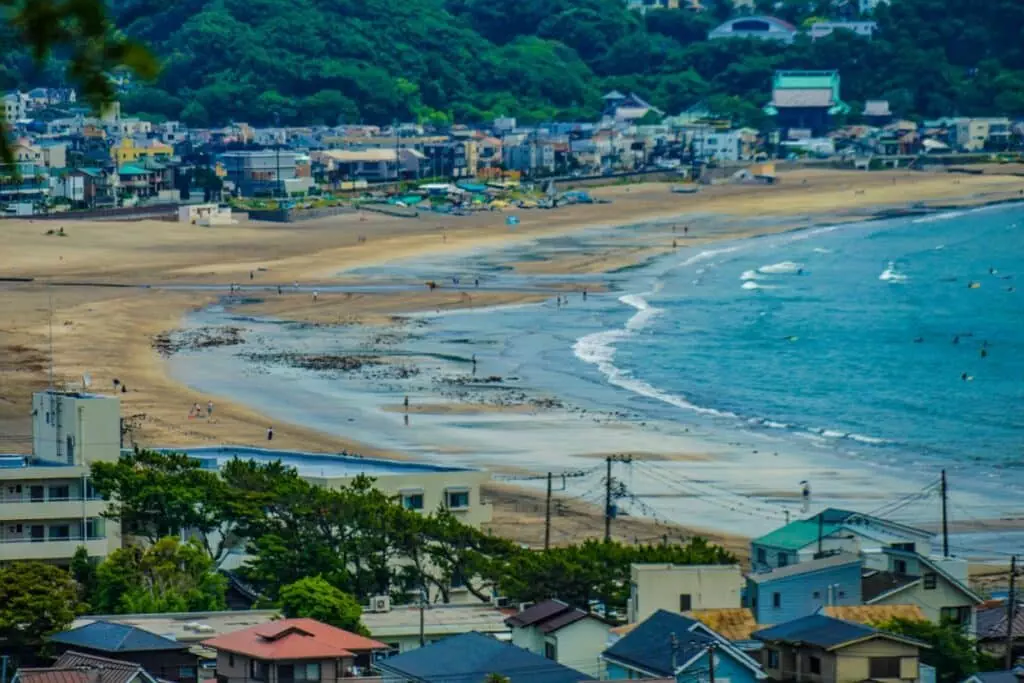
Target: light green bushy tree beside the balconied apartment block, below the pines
[167,577]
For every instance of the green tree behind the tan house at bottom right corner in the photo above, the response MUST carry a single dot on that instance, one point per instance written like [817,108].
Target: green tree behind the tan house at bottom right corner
[951,651]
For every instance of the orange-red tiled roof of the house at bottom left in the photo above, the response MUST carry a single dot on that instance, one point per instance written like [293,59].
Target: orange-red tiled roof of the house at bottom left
[294,639]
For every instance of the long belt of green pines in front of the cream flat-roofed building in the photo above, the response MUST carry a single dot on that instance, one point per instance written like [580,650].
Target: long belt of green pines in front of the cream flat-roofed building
[318,550]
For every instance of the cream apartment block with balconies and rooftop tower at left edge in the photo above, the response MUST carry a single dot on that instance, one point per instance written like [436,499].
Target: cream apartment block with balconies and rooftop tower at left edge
[49,507]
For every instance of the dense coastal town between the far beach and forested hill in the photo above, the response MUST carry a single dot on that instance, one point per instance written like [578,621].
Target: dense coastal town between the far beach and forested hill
[69,160]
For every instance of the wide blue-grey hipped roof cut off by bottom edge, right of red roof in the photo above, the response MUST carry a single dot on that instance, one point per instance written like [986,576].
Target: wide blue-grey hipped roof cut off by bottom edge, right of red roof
[472,657]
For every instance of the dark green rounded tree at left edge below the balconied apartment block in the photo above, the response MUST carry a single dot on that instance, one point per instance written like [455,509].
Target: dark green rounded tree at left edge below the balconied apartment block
[36,601]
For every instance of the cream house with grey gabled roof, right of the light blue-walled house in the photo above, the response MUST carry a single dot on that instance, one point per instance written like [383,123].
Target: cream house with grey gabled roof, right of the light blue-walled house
[937,586]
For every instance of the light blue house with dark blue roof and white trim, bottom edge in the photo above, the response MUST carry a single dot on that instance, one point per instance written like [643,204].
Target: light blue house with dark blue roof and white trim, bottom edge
[670,646]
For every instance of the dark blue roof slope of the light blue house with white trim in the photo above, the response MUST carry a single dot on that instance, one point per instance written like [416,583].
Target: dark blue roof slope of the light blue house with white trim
[649,647]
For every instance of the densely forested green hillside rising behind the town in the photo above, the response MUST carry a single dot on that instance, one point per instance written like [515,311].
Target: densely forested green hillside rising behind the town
[375,61]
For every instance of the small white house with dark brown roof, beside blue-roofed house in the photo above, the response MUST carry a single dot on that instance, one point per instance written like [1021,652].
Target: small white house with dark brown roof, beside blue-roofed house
[568,635]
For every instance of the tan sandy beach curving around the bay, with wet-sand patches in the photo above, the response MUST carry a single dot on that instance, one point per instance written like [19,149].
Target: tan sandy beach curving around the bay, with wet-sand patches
[169,271]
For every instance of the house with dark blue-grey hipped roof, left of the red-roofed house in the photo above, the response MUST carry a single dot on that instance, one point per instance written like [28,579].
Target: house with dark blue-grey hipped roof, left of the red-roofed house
[166,659]
